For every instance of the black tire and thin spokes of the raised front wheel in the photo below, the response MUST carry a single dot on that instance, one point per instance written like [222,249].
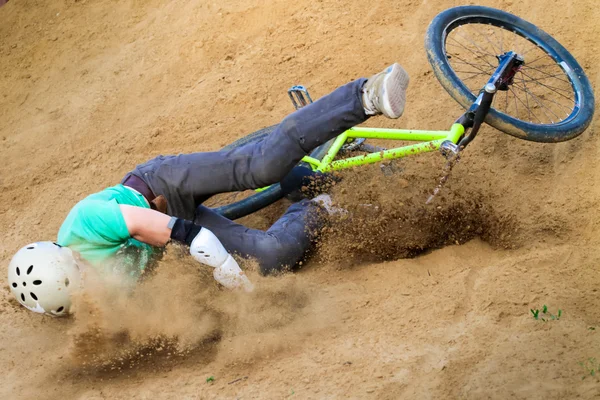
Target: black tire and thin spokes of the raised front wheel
[583,103]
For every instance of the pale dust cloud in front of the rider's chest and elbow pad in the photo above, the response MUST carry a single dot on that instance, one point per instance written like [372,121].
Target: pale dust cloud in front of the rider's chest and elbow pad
[178,308]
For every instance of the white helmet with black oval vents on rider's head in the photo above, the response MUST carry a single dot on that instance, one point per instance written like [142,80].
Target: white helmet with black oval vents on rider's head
[42,276]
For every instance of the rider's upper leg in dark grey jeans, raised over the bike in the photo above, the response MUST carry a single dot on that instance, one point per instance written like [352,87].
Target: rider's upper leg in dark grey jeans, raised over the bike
[187,180]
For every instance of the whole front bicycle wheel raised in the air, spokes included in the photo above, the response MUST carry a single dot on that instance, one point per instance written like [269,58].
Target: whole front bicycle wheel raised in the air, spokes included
[550,99]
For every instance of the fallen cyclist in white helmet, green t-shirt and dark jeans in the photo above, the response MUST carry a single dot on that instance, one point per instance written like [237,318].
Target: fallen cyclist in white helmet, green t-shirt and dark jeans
[121,227]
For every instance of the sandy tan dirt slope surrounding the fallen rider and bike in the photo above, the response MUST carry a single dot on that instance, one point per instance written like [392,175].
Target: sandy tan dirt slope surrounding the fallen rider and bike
[90,88]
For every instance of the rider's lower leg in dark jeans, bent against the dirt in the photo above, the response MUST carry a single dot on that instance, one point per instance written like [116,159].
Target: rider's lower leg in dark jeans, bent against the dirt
[276,250]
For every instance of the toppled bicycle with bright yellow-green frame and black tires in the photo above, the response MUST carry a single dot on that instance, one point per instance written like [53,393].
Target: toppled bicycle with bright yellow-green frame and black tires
[475,74]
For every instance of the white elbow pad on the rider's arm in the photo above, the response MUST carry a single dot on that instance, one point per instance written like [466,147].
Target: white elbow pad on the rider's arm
[207,249]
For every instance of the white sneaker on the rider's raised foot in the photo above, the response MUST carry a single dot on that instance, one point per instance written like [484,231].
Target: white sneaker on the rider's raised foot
[385,92]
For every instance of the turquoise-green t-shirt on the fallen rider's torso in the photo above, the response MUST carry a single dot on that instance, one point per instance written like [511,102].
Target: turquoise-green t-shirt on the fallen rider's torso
[95,228]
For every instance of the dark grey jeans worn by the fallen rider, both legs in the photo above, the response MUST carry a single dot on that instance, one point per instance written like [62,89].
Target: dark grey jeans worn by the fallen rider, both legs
[186,180]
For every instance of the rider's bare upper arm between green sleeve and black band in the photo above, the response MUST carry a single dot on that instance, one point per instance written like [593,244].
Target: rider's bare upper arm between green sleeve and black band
[146,225]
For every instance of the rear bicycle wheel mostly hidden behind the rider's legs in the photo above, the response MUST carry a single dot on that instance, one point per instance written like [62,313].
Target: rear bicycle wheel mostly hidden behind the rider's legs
[267,197]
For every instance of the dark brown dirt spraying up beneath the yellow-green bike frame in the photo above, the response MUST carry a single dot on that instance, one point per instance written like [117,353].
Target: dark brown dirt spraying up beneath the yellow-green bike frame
[386,217]
